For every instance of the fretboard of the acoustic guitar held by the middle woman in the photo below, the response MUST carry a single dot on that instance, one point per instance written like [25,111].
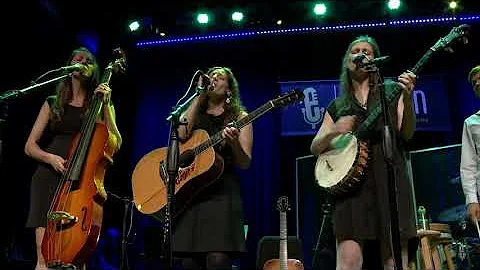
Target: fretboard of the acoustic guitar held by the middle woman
[217,137]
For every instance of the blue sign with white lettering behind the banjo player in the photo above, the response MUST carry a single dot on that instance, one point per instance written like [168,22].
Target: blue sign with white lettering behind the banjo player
[429,100]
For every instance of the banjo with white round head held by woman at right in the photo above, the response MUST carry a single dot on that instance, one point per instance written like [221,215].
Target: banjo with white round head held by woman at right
[340,170]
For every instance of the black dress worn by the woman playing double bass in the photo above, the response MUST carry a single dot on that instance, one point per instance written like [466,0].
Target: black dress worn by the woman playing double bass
[45,179]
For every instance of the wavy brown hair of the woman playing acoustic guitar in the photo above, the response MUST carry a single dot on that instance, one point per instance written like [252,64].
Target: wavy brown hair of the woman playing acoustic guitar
[235,107]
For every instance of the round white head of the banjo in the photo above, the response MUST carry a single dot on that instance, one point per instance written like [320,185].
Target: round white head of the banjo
[333,165]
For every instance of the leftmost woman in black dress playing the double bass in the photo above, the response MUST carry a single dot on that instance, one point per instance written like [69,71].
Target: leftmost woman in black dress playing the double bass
[59,119]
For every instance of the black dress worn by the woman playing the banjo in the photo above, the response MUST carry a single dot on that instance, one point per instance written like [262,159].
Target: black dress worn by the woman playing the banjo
[365,214]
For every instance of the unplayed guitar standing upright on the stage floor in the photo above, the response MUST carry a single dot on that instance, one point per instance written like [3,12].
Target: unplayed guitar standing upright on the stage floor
[283,263]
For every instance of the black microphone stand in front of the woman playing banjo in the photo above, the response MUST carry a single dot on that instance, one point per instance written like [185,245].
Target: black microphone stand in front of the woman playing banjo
[388,138]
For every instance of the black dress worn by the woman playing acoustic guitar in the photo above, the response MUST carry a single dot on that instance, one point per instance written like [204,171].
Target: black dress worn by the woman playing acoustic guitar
[214,220]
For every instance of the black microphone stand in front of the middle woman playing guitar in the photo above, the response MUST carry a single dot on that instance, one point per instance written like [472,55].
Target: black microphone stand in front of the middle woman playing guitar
[172,170]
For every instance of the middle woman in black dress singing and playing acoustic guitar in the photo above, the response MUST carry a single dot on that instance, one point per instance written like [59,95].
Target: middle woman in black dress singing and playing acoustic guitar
[209,233]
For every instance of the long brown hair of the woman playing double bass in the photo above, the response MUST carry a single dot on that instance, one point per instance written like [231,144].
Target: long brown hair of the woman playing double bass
[64,93]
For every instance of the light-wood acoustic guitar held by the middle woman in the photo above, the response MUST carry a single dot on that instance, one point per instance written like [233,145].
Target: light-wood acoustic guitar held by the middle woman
[199,166]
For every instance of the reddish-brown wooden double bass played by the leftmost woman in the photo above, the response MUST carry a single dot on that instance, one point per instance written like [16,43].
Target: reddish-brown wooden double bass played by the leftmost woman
[74,220]
